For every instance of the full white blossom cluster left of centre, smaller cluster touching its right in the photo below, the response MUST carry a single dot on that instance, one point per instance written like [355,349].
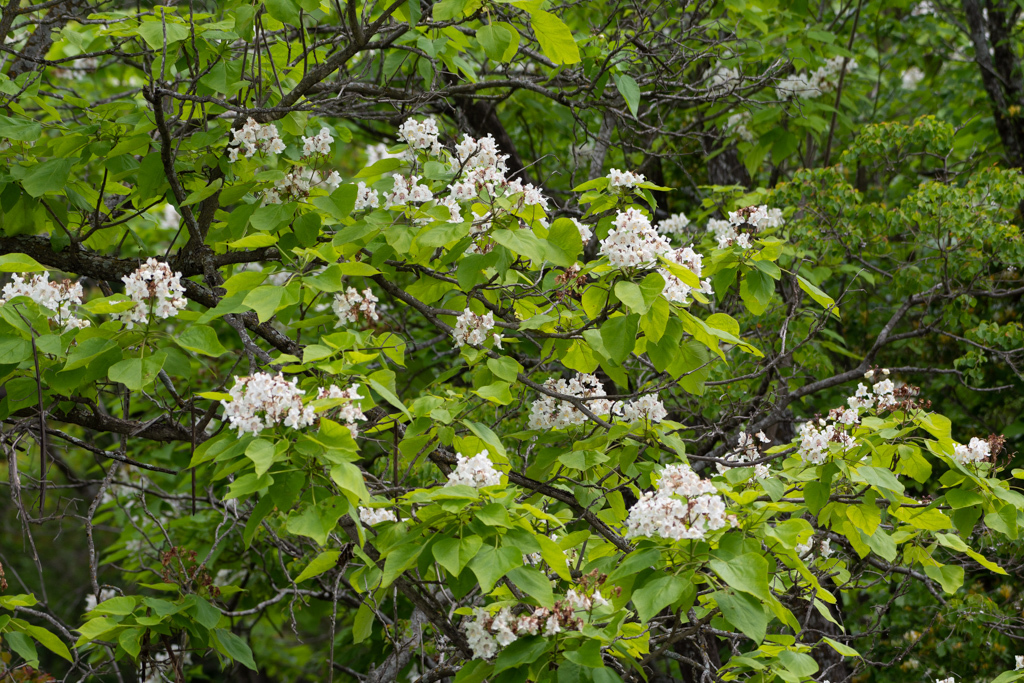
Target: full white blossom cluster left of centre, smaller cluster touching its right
[278,400]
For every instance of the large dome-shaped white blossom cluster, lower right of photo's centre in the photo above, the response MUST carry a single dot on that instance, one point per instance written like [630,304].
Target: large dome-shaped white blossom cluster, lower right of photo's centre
[684,507]
